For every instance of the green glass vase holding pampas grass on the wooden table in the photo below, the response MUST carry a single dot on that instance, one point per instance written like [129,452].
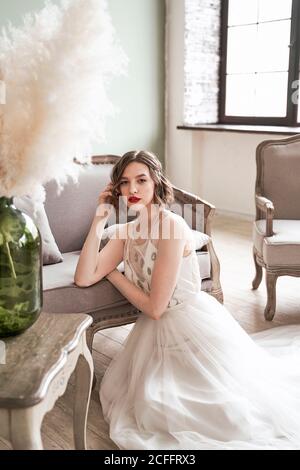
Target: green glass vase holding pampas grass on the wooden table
[20,270]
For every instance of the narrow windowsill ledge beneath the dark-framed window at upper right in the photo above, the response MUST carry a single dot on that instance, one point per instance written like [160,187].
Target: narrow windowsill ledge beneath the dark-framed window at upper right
[242,128]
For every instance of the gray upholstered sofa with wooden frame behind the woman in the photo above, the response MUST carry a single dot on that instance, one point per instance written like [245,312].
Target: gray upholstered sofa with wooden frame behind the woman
[70,214]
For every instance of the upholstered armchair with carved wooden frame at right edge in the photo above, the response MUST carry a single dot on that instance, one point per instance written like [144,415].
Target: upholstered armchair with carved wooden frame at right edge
[276,231]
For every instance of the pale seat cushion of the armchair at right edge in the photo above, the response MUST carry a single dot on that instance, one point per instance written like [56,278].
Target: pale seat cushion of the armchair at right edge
[283,248]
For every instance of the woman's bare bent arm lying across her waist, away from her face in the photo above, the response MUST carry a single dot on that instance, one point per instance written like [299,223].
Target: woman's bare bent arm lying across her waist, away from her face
[163,282]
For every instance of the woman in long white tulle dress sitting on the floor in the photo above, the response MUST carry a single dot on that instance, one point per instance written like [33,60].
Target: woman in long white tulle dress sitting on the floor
[189,377]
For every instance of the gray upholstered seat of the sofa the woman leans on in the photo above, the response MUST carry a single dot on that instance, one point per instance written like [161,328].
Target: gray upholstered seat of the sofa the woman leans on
[62,295]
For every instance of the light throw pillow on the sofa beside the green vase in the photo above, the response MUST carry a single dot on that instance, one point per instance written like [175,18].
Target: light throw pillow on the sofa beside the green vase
[36,211]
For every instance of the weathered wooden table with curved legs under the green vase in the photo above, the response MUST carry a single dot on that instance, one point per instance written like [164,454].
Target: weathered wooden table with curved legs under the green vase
[39,363]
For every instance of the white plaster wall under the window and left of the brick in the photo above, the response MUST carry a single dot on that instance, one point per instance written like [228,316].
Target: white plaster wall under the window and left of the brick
[218,166]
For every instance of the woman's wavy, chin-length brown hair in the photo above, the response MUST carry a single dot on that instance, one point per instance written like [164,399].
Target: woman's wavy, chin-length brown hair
[163,190]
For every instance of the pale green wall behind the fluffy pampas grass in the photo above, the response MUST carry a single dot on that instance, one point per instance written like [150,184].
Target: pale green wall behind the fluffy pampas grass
[140,96]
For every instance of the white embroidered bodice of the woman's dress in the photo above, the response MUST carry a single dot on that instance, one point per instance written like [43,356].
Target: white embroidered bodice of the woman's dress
[139,260]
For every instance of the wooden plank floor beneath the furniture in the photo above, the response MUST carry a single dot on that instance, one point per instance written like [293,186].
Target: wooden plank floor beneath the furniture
[232,240]
